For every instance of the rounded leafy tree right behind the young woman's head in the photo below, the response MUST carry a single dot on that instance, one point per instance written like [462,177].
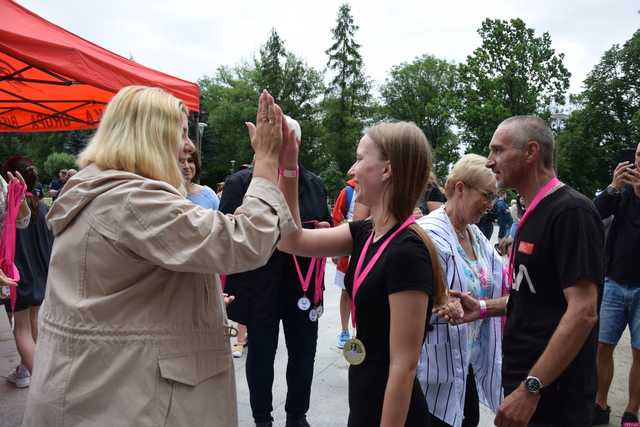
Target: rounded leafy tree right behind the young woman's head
[424,92]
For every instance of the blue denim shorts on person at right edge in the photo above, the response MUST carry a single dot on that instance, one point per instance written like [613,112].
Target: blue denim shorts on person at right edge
[620,307]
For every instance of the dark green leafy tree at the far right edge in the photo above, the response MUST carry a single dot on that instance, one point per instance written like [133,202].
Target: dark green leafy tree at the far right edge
[607,119]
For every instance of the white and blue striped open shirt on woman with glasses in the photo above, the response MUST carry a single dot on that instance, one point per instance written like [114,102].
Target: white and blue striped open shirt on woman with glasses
[446,356]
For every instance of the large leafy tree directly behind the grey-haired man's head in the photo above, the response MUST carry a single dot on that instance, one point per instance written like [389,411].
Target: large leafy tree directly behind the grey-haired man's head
[513,72]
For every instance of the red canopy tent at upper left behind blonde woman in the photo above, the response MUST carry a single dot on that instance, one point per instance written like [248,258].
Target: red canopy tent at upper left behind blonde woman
[53,80]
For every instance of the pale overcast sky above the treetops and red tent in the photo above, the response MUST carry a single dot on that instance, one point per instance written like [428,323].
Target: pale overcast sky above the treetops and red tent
[191,38]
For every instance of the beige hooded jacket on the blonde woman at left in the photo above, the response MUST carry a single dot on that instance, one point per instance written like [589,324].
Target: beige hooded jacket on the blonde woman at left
[133,330]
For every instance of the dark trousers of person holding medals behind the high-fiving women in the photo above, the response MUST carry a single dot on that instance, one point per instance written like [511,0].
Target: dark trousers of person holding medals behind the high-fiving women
[301,336]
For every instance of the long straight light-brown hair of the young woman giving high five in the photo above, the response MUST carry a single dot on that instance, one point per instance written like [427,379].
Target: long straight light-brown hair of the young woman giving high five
[408,151]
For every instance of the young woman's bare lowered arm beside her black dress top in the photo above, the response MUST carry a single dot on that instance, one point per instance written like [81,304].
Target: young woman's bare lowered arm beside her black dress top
[408,310]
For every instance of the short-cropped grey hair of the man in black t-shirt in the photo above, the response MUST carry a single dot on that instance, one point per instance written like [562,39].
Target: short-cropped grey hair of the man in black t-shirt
[526,128]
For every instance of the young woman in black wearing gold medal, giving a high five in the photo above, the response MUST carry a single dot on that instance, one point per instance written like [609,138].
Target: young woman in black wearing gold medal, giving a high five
[394,278]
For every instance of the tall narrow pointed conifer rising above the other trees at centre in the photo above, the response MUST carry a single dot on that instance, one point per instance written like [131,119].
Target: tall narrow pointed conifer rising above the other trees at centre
[347,101]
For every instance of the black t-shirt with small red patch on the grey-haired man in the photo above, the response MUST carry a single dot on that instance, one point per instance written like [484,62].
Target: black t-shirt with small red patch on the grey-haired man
[560,243]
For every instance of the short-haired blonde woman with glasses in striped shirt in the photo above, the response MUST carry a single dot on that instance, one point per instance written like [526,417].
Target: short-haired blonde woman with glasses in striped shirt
[460,364]
